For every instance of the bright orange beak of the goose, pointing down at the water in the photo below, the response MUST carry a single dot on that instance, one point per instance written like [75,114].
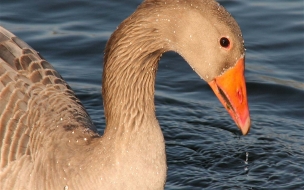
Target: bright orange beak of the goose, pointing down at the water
[230,89]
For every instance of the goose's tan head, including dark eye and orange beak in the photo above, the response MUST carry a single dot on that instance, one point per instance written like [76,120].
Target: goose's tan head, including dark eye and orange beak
[210,40]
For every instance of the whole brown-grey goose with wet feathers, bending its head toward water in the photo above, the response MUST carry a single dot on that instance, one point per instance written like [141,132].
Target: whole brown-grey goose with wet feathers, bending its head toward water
[48,140]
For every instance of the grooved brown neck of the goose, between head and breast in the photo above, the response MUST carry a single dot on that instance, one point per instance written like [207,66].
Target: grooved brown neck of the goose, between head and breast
[129,75]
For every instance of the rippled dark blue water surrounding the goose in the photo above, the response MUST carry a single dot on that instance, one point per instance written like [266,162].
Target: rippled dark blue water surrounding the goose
[204,147]
